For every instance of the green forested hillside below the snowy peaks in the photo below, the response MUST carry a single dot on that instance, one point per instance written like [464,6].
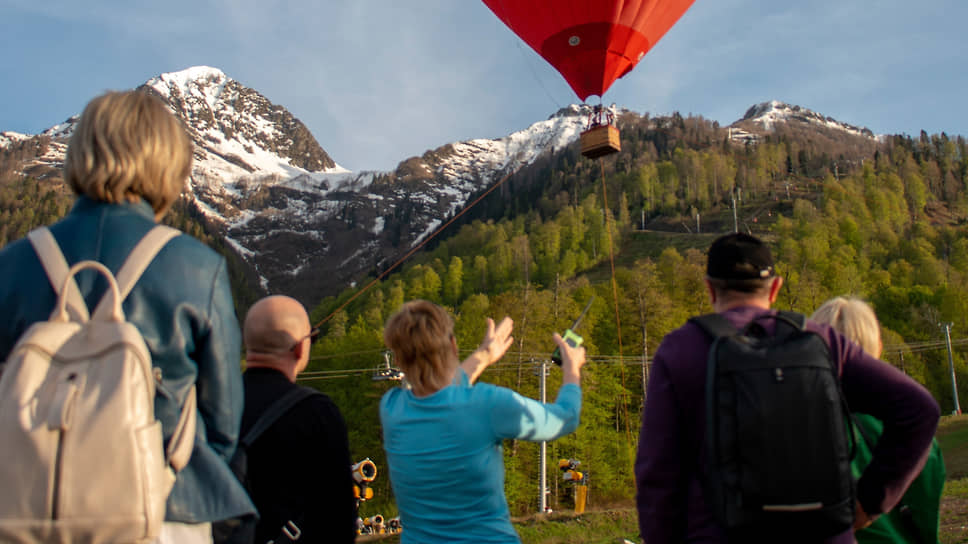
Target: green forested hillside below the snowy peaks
[844,214]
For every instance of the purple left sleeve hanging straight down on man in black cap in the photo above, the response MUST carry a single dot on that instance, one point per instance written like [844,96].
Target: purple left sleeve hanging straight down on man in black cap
[660,488]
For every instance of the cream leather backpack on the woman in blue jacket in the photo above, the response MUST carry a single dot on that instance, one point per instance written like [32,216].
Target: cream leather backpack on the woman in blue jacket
[83,455]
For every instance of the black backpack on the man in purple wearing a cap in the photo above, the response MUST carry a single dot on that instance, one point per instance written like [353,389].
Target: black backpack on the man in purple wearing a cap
[778,450]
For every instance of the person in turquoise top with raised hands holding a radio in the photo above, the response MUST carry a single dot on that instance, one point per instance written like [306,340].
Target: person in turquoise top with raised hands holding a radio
[443,434]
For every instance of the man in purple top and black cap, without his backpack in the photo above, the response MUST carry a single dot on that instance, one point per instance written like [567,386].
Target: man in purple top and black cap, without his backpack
[669,467]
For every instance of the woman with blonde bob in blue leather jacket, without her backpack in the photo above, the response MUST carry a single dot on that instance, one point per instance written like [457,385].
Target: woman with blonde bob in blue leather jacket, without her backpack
[128,160]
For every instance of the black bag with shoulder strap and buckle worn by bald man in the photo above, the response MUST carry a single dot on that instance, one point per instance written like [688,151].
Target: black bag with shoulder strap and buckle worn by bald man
[242,530]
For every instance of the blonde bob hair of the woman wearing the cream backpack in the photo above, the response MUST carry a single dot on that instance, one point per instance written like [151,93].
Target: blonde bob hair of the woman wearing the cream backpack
[128,146]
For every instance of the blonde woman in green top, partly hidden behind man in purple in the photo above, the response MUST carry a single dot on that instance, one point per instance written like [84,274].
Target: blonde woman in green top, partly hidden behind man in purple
[915,519]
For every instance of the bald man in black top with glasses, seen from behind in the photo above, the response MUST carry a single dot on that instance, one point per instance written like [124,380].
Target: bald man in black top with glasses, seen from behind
[299,468]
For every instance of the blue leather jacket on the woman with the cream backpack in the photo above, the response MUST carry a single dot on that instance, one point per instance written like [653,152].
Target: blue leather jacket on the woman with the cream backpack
[183,307]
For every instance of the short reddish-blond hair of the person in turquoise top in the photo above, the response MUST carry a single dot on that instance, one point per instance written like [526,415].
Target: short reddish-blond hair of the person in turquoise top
[420,336]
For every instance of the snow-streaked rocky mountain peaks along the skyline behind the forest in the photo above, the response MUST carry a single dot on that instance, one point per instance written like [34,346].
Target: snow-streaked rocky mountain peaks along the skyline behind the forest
[308,227]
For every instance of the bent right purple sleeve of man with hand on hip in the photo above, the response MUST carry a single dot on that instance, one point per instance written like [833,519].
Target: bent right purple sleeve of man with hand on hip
[910,415]
